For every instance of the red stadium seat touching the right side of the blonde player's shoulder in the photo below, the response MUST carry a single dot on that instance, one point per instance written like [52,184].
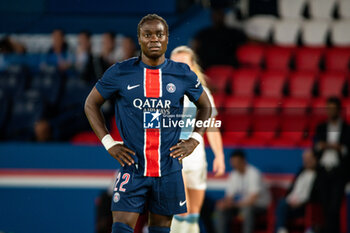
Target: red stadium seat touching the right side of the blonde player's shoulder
[218,77]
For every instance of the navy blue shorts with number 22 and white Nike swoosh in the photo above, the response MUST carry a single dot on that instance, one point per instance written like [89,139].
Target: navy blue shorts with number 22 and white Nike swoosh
[163,195]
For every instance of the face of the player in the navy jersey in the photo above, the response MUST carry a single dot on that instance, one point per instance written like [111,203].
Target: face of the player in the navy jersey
[153,39]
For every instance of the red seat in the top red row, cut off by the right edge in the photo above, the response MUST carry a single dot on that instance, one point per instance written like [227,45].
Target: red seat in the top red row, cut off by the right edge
[337,59]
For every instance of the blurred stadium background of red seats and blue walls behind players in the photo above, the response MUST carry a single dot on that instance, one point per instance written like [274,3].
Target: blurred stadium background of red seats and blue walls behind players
[295,54]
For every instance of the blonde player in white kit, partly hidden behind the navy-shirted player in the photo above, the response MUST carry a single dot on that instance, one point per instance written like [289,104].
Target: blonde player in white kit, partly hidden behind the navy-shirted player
[195,165]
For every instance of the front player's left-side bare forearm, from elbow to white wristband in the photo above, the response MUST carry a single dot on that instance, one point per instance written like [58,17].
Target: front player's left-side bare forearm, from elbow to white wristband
[95,117]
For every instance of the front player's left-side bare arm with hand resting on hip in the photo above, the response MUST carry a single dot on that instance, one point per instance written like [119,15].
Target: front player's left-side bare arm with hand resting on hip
[93,112]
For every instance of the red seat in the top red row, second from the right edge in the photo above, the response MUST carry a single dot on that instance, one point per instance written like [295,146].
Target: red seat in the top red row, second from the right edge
[308,58]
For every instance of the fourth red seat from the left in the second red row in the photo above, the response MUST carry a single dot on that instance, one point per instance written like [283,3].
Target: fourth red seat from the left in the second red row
[301,84]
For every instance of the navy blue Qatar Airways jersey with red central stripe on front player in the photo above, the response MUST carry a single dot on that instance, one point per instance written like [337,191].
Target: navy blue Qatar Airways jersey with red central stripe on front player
[148,99]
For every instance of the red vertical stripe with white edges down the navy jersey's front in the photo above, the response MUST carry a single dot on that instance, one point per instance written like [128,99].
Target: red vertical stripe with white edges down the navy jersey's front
[152,136]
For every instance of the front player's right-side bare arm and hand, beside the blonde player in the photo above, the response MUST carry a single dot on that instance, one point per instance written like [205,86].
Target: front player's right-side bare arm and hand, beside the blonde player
[186,147]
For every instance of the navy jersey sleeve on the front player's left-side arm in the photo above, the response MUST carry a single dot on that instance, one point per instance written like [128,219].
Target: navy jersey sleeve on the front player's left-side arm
[108,84]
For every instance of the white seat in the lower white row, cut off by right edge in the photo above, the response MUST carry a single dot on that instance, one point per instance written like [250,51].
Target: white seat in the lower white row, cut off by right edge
[340,33]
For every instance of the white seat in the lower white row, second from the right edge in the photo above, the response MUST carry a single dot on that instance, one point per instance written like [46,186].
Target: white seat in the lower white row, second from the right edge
[315,32]
